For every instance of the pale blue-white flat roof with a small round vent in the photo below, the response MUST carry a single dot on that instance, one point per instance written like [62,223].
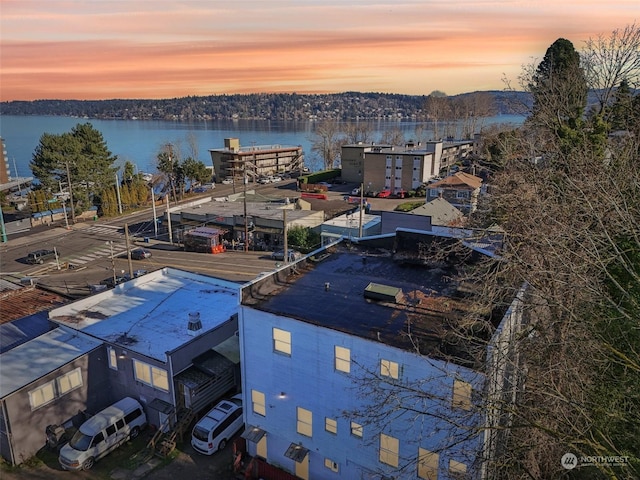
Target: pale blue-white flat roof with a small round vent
[150,314]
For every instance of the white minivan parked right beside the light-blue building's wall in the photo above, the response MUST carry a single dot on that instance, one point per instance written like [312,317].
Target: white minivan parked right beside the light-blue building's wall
[215,429]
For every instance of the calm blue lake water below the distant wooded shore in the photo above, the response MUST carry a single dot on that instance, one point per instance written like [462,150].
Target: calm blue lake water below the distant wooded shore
[140,141]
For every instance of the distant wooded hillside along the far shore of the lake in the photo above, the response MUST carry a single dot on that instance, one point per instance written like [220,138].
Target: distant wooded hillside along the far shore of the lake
[347,106]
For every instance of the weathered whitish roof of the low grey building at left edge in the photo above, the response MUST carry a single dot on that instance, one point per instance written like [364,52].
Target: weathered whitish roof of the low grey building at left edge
[36,358]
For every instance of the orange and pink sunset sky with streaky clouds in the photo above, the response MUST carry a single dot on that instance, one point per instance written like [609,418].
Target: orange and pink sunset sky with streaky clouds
[151,49]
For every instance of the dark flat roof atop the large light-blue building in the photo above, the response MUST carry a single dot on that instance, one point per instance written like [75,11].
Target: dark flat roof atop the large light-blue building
[330,292]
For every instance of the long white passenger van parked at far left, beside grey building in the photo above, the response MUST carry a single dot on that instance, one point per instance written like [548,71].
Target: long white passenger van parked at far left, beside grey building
[103,433]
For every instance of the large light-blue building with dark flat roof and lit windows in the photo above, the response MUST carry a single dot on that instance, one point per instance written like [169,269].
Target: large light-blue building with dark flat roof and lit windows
[354,367]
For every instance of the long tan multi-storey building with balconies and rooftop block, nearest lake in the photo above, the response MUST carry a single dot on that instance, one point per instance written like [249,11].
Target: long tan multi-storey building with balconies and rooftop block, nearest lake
[256,161]
